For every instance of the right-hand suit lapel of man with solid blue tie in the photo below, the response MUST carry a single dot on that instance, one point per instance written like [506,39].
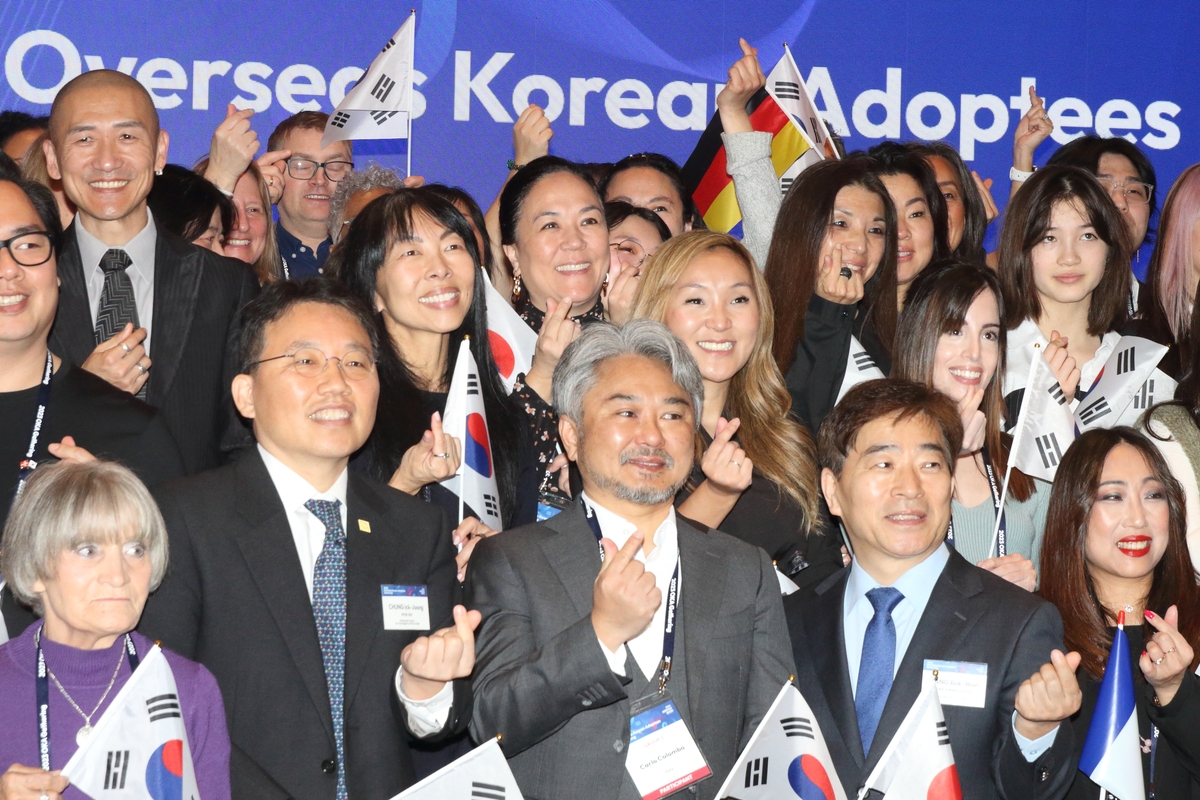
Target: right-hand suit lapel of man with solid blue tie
[949,617]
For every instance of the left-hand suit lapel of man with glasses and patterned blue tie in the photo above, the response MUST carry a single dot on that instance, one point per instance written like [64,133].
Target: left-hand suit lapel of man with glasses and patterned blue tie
[271,554]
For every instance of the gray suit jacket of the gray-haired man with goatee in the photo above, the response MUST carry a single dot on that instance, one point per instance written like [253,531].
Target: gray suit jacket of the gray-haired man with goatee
[543,682]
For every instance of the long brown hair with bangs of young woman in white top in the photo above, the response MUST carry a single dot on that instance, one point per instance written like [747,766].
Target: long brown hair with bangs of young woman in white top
[1027,222]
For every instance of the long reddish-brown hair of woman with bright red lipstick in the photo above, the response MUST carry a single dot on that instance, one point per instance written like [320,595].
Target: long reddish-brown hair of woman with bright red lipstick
[1066,581]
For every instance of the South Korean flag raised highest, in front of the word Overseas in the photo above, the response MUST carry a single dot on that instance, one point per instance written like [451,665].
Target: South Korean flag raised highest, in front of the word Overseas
[381,105]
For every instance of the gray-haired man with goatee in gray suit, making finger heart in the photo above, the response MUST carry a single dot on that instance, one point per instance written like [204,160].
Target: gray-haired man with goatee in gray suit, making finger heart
[625,652]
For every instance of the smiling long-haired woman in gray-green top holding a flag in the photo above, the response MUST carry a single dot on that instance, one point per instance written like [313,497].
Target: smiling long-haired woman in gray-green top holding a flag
[955,342]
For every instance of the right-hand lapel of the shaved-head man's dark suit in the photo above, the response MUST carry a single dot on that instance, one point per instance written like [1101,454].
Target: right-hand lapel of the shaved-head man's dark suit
[177,285]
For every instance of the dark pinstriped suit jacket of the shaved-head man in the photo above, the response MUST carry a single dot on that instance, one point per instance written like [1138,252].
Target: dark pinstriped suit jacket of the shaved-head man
[197,297]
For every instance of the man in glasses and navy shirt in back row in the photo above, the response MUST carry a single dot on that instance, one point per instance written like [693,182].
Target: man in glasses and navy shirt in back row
[310,175]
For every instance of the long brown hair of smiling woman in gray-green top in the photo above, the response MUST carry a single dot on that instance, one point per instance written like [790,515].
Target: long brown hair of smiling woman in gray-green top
[939,302]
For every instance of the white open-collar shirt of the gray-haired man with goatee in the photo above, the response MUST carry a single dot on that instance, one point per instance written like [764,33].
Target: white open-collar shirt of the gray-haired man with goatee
[647,646]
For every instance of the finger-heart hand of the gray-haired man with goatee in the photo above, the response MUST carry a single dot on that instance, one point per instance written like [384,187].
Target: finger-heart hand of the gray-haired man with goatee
[625,597]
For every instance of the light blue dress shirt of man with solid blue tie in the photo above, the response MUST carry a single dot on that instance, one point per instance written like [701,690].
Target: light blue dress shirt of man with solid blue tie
[916,586]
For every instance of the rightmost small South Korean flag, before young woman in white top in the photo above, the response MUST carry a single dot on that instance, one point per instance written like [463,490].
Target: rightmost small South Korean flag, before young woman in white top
[1129,384]
